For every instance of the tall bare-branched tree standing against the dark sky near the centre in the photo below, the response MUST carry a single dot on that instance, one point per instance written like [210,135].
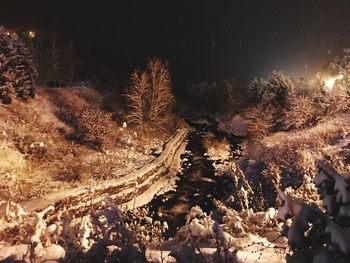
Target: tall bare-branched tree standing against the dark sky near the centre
[150,97]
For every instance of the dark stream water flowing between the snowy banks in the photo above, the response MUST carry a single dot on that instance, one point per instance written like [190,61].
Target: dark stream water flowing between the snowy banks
[197,183]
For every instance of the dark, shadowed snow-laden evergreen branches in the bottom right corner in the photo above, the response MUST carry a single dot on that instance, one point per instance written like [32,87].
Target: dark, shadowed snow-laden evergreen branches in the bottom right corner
[317,236]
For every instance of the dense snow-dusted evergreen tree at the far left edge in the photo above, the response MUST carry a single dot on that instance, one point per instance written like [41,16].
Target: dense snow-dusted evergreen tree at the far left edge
[17,70]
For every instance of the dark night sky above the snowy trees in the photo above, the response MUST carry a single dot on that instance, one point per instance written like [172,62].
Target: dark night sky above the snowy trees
[203,40]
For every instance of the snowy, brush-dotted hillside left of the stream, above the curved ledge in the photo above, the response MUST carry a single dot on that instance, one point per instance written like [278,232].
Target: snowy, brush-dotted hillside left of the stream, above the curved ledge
[51,143]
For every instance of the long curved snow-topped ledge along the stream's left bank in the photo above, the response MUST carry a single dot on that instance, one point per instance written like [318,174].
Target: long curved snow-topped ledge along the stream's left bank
[121,190]
